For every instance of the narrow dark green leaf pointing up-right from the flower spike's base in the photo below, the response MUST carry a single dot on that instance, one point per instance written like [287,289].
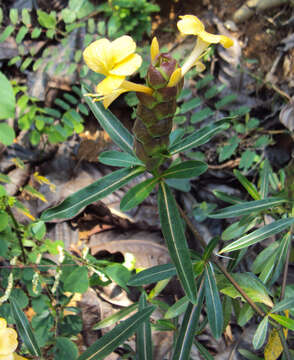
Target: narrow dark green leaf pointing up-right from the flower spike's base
[198,138]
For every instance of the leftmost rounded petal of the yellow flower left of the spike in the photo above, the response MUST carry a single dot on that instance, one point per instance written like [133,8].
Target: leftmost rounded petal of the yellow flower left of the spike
[97,56]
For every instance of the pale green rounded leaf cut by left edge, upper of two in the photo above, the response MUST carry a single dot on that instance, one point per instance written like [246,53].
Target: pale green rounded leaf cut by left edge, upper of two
[7,100]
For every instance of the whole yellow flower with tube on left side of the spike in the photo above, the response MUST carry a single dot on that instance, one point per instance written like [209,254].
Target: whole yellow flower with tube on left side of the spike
[115,60]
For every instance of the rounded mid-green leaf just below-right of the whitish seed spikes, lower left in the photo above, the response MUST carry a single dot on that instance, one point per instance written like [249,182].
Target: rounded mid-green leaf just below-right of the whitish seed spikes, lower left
[77,280]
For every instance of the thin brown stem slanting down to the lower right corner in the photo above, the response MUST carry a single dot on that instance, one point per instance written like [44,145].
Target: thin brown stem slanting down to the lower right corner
[234,283]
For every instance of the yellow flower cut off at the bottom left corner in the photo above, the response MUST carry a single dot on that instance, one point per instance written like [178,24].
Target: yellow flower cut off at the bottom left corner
[8,342]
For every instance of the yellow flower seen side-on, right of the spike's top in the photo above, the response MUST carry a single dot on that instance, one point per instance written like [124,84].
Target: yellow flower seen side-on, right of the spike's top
[191,25]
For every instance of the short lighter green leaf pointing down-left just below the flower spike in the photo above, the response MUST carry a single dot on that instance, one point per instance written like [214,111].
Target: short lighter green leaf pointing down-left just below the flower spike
[137,194]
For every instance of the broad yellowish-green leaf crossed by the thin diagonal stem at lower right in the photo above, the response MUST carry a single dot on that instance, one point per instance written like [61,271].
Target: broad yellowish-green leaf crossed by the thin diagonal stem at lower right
[253,287]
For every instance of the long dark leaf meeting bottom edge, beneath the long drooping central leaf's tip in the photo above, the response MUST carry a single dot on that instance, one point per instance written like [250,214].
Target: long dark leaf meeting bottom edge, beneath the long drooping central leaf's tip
[188,328]
